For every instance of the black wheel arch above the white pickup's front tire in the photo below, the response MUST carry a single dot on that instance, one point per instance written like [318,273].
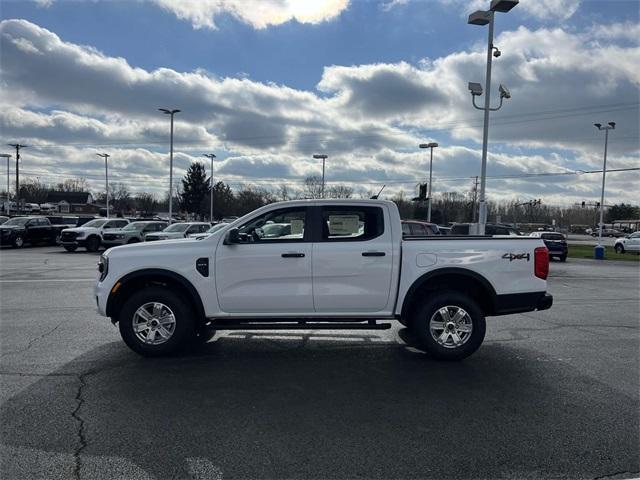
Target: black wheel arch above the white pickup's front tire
[134,281]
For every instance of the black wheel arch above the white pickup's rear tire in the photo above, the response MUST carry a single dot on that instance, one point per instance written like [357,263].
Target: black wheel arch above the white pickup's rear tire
[454,279]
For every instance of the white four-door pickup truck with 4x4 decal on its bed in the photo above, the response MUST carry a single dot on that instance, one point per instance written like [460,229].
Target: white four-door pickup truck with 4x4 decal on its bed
[342,264]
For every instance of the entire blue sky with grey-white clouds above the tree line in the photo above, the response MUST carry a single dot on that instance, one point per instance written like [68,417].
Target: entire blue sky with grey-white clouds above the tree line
[264,84]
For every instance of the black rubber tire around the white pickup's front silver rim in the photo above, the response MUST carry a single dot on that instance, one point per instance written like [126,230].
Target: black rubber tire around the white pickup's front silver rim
[182,335]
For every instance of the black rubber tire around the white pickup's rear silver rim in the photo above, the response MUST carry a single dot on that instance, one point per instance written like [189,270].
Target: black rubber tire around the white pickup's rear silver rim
[422,315]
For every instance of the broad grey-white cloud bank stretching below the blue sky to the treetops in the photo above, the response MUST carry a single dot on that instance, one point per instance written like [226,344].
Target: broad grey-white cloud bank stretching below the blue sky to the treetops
[368,118]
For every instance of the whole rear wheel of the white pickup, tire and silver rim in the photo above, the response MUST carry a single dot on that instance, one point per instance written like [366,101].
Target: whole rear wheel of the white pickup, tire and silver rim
[449,325]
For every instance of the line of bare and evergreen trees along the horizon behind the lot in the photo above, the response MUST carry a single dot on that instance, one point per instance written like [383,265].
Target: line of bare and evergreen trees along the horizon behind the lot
[192,197]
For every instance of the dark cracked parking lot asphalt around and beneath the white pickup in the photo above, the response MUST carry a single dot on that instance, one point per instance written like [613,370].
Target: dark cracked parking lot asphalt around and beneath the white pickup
[551,394]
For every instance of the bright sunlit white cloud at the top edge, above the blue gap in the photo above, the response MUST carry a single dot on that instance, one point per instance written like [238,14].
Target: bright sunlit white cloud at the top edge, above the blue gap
[257,13]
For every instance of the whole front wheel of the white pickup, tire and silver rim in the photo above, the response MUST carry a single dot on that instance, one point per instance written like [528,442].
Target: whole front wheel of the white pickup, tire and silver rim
[155,321]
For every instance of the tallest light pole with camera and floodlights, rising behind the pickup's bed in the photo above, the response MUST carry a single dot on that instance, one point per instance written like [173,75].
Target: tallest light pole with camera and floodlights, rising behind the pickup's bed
[482,17]
